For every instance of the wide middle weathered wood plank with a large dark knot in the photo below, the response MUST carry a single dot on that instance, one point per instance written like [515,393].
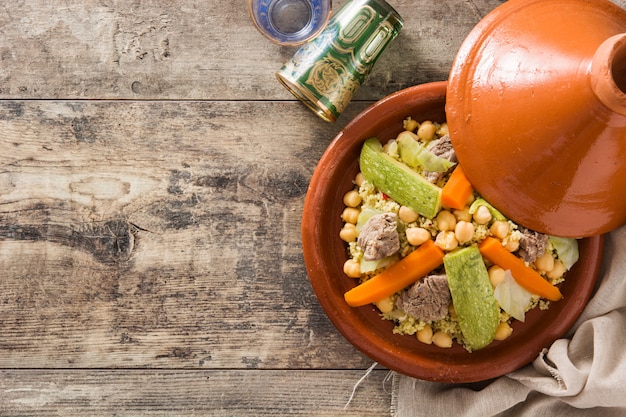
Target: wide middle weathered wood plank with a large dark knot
[159,234]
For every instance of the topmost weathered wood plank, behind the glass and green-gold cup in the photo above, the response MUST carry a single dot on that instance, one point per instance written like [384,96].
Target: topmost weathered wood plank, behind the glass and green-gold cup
[196,49]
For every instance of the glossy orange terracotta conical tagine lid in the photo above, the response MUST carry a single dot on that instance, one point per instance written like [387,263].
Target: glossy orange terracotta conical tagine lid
[536,106]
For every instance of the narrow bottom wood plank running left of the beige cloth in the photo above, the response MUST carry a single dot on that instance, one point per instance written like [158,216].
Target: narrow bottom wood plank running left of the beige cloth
[193,393]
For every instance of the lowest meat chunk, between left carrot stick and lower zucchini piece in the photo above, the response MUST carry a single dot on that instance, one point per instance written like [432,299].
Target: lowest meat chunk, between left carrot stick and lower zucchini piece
[427,299]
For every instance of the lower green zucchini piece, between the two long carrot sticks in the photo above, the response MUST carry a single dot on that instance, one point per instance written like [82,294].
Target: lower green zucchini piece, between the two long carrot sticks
[472,296]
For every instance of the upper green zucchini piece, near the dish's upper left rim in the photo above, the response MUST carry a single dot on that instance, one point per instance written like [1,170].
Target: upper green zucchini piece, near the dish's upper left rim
[398,180]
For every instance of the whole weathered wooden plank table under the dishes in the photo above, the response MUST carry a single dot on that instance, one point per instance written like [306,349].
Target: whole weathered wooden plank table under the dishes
[153,173]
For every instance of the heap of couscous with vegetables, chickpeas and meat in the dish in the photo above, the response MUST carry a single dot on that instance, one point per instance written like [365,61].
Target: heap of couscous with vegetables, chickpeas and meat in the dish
[451,218]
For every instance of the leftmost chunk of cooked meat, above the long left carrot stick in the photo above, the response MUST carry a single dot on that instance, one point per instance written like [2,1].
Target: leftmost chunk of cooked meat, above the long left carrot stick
[379,237]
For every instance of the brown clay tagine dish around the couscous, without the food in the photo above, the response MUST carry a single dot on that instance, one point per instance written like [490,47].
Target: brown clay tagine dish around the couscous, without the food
[325,253]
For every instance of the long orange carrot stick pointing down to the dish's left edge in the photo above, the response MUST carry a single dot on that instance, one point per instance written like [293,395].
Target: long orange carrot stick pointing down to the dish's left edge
[401,274]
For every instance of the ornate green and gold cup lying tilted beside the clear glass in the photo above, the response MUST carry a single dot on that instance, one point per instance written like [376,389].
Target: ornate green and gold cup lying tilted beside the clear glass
[326,72]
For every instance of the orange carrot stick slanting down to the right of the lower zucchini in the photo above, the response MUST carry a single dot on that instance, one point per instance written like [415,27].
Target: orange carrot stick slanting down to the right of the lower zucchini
[525,276]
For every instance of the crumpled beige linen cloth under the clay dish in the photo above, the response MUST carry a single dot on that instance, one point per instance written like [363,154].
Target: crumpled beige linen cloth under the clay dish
[582,374]
